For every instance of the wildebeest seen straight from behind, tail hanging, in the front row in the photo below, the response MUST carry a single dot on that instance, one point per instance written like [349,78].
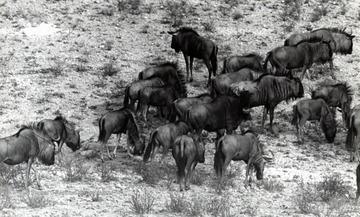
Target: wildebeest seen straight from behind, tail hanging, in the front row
[187,152]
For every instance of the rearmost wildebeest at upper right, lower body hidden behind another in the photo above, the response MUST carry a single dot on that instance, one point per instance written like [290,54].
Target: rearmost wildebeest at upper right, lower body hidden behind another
[340,41]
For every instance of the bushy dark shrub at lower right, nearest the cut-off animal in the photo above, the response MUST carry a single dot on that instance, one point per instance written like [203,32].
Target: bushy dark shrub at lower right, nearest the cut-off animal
[333,186]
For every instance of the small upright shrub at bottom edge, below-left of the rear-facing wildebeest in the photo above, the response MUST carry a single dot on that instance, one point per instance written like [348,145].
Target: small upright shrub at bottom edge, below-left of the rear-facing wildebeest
[142,203]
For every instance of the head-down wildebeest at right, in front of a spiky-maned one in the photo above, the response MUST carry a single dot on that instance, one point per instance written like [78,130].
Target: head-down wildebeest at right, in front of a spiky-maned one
[314,109]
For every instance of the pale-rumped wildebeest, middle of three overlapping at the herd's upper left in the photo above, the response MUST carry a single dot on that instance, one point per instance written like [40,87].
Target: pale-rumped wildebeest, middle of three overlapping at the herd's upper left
[132,90]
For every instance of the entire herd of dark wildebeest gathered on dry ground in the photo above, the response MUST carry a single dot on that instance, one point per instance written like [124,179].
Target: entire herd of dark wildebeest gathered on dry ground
[245,81]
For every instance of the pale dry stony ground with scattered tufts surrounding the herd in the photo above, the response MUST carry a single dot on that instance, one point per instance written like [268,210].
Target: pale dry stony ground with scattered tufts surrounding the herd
[76,57]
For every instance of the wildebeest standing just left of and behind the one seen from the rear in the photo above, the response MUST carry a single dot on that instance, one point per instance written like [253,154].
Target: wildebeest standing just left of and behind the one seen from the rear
[164,136]
